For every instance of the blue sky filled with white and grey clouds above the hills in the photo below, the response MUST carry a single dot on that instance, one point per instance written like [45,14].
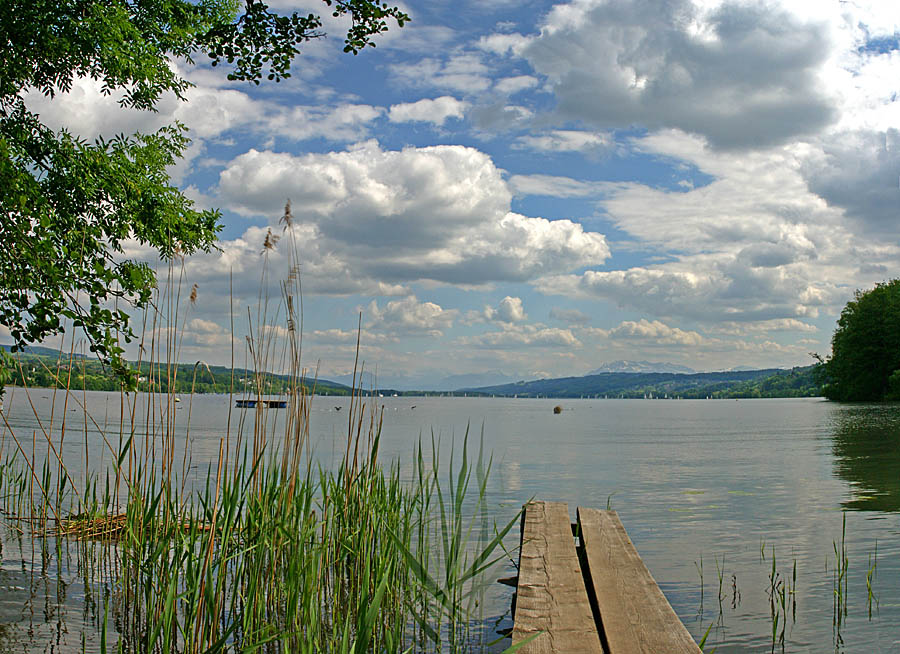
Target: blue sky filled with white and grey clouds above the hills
[527,189]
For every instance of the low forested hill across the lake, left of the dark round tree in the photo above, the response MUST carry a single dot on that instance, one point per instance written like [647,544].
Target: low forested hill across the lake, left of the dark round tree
[772,382]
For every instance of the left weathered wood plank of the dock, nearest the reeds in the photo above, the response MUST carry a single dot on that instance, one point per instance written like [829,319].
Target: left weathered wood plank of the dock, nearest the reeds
[551,595]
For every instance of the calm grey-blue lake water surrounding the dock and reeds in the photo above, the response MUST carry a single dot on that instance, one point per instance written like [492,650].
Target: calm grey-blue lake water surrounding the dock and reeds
[700,486]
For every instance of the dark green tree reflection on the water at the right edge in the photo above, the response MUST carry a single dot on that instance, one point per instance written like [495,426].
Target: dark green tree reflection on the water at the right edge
[866,448]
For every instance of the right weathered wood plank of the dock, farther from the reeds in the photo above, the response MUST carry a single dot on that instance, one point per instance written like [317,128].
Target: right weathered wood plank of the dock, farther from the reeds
[636,617]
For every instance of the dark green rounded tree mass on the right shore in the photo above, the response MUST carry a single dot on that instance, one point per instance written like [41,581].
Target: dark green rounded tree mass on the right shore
[865,348]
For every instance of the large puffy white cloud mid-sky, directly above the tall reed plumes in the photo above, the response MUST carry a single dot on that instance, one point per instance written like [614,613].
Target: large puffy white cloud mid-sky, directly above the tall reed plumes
[438,213]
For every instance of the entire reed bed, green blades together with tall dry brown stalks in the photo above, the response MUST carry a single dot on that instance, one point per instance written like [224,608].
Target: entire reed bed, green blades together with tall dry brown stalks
[271,552]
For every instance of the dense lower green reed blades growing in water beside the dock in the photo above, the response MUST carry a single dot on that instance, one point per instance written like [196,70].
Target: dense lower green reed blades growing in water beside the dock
[272,553]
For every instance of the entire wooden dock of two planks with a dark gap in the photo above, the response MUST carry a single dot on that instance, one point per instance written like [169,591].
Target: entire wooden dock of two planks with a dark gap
[584,588]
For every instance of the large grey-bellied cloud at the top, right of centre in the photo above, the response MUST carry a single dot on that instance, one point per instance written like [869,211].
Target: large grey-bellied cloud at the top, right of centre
[740,74]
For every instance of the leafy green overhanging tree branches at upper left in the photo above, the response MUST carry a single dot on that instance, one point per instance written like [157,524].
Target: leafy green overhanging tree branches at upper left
[67,206]
